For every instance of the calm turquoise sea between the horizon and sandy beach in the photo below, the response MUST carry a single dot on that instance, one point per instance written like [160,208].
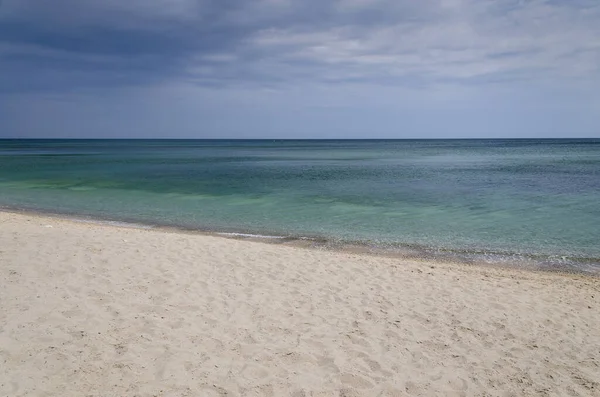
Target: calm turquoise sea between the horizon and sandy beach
[536,201]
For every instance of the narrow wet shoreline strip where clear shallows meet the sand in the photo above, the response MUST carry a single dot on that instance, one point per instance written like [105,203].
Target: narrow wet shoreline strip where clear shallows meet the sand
[502,260]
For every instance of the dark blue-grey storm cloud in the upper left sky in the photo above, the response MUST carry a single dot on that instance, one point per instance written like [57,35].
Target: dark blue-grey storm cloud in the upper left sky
[104,43]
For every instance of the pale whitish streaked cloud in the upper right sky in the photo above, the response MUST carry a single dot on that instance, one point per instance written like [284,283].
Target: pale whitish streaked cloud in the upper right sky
[459,40]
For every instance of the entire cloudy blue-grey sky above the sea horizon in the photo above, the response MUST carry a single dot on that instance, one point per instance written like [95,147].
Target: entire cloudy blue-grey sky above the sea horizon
[299,69]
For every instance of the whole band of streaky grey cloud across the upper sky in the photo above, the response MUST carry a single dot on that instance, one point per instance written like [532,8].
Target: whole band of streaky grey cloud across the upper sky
[73,44]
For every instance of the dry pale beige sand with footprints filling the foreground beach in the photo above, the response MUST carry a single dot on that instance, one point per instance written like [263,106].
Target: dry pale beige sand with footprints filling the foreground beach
[93,310]
